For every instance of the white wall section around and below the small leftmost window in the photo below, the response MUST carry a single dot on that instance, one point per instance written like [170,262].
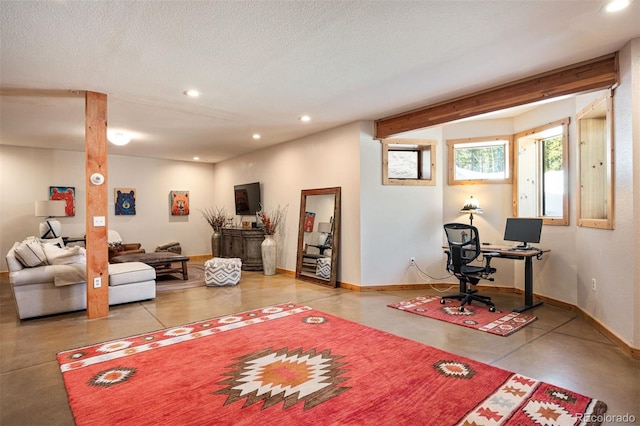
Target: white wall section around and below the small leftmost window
[398,222]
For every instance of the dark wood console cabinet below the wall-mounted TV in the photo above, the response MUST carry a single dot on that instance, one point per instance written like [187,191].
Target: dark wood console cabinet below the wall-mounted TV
[244,243]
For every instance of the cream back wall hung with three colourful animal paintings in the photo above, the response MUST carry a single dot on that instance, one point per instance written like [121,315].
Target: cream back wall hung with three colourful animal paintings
[27,173]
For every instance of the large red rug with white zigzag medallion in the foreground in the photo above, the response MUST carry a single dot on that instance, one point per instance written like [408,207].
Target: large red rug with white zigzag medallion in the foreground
[292,365]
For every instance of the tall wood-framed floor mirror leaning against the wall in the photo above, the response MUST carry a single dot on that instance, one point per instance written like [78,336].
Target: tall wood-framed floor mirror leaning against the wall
[319,236]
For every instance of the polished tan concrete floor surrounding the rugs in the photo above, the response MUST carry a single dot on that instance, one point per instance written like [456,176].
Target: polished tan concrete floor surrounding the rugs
[559,348]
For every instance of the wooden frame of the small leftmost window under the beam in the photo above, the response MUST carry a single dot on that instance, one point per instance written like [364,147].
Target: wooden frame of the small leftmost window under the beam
[422,146]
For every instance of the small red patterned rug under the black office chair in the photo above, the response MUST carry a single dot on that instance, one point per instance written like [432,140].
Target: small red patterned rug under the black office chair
[474,316]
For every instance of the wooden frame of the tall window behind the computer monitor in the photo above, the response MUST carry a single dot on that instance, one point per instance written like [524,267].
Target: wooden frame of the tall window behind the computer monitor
[531,133]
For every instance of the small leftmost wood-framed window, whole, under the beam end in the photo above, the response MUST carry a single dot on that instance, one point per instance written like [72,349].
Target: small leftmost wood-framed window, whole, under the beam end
[408,162]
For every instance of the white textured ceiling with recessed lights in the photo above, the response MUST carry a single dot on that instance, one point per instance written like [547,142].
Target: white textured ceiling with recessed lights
[262,64]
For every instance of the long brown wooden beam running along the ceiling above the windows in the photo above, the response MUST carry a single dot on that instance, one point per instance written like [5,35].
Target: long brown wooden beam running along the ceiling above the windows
[596,74]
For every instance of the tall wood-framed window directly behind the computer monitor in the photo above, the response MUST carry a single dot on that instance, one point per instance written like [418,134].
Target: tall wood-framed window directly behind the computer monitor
[541,170]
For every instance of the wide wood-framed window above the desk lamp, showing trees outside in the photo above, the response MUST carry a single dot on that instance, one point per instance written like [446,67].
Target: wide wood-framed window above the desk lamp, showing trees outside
[479,160]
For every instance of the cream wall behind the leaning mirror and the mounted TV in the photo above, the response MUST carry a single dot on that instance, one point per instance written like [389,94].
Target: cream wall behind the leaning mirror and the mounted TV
[323,160]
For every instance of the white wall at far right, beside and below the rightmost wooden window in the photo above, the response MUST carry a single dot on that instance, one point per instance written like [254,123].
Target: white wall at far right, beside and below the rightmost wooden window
[612,256]
